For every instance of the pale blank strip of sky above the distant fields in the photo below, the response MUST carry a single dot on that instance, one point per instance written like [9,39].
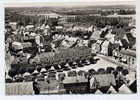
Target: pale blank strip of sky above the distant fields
[67,3]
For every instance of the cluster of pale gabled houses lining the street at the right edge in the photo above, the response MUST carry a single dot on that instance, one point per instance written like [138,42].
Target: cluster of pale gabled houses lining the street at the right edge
[117,43]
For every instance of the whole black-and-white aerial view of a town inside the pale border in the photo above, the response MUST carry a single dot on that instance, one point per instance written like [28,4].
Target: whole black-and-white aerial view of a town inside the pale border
[70,48]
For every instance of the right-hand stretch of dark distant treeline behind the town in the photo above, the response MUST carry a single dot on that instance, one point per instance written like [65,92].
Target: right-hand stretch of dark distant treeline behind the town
[100,21]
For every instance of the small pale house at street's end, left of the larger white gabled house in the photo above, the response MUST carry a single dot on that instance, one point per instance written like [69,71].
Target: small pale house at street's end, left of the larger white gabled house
[96,47]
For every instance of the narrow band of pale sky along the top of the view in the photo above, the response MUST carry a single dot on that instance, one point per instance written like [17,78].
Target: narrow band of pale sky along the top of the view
[69,4]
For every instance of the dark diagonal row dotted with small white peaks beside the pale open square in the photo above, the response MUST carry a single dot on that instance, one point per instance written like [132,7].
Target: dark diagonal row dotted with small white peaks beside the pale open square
[50,69]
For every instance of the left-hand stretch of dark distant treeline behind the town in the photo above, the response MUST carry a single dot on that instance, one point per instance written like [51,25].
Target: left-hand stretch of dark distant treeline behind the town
[28,19]
